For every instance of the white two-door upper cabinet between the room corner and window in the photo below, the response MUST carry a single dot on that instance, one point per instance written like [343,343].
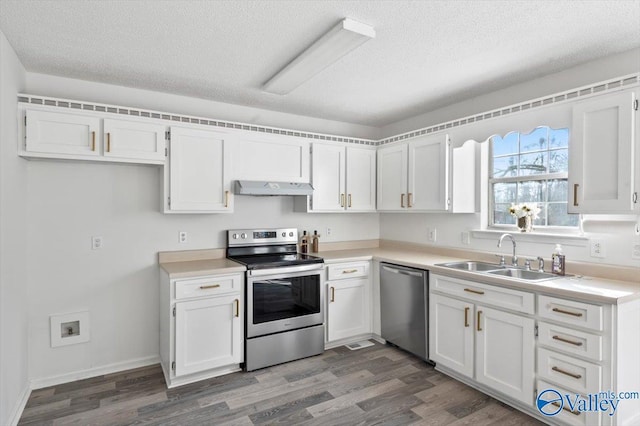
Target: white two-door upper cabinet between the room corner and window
[414,176]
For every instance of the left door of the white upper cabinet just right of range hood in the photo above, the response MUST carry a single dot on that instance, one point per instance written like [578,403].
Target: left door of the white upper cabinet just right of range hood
[327,178]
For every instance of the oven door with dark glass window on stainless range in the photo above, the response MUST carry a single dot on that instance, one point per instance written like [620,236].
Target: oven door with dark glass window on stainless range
[283,299]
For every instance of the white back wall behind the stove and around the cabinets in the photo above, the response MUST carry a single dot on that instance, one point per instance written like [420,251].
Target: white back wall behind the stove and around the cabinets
[68,202]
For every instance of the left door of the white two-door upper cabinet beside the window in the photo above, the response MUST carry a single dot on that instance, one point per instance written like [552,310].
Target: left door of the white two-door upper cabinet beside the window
[392,178]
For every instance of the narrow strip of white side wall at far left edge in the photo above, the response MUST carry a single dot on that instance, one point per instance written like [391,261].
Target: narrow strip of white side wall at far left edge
[13,245]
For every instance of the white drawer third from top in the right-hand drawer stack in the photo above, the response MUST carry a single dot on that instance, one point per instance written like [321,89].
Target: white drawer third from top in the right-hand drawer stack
[580,376]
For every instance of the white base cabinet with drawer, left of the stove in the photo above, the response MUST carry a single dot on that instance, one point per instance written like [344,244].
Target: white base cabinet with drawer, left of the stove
[201,327]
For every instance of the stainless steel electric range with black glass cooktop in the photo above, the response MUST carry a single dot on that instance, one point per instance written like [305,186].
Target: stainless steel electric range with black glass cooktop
[284,316]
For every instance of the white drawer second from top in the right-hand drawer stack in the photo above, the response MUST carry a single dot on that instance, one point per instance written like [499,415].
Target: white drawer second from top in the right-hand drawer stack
[572,341]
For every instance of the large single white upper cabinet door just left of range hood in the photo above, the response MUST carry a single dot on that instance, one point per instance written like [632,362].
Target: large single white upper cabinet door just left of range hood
[198,171]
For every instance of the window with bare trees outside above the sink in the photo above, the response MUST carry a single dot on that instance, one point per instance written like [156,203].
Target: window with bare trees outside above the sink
[531,168]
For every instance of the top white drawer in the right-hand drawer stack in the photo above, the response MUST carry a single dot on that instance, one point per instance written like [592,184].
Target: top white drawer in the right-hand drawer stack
[570,312]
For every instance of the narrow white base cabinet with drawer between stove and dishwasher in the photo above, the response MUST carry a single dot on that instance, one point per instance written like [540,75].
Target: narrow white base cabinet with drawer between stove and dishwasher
[348,302]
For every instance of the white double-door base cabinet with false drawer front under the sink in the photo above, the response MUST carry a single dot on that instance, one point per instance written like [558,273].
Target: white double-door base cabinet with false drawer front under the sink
[488,345]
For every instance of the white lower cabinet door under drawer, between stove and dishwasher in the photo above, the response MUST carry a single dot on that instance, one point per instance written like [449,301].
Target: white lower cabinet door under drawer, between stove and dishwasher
[349,310]
